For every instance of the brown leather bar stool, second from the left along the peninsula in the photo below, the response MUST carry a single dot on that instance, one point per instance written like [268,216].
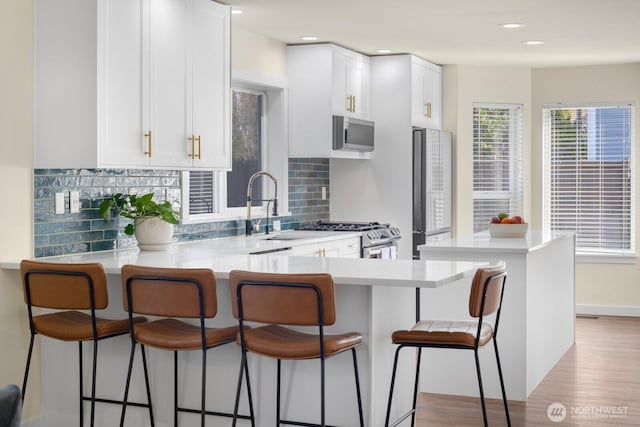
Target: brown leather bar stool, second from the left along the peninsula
[171,293]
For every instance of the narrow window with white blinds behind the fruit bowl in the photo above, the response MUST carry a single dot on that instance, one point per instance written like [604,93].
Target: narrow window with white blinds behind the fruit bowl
[498,182]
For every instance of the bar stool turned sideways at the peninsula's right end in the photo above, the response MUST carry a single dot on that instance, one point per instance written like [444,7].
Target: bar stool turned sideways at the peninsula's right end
[487,290]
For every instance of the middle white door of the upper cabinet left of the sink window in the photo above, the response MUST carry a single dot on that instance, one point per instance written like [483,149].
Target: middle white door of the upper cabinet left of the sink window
[169,78]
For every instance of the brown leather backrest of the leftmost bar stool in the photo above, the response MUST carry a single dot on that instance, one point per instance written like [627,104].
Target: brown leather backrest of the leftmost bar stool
[64,286]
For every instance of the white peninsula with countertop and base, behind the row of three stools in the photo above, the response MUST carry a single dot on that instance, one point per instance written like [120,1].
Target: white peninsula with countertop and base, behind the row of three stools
[372,296]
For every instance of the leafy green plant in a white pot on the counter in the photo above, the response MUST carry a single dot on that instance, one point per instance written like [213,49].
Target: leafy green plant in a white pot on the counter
[152,222]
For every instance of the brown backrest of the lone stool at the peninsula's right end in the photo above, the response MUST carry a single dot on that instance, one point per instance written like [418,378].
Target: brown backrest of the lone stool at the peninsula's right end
[487,289]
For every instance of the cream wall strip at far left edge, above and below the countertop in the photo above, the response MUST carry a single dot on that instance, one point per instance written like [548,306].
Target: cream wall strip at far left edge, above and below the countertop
[16,139]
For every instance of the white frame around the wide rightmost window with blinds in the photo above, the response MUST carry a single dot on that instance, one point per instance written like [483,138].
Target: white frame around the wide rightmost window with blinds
[598,255]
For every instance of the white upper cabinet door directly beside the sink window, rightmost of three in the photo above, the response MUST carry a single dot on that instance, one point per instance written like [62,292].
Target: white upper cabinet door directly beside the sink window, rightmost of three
[210,91]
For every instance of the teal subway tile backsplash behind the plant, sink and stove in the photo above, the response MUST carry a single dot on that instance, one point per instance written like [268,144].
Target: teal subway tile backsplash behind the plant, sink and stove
[86,231]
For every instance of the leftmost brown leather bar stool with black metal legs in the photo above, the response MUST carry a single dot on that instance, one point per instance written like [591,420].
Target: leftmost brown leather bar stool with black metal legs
[72,287]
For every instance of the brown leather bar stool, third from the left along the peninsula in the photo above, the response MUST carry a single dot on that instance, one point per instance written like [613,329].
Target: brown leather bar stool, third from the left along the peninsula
[293,300]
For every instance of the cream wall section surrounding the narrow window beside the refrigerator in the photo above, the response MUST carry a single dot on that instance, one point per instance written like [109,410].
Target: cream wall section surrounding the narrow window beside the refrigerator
[462,86]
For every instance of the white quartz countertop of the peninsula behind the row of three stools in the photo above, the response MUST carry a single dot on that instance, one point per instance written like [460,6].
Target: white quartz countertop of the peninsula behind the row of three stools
[224,255]
